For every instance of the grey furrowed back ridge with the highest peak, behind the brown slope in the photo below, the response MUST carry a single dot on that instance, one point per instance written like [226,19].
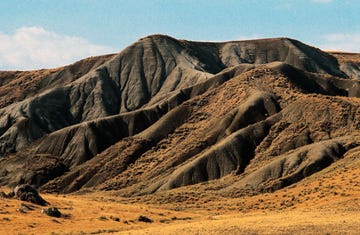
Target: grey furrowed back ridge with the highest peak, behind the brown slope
[149,72]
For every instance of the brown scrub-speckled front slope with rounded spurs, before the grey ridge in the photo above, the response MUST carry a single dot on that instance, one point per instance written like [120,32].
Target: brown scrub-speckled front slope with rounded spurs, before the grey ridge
[203,139]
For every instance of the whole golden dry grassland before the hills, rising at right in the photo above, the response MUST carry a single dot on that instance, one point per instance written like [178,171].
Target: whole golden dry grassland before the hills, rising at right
[326,203]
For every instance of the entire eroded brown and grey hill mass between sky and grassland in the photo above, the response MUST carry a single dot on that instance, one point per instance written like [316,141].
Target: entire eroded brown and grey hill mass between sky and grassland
[248,116]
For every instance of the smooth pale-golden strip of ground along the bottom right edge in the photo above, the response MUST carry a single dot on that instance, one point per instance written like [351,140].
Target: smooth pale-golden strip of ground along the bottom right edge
[291,222]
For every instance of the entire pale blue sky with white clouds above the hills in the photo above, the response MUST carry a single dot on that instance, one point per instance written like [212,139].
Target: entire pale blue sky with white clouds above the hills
[37,34]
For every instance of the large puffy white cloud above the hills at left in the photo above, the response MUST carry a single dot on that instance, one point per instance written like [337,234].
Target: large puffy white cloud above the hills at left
[35,48]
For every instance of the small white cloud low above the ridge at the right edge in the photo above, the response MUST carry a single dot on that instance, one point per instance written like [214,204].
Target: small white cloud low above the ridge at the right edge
[349,42]
